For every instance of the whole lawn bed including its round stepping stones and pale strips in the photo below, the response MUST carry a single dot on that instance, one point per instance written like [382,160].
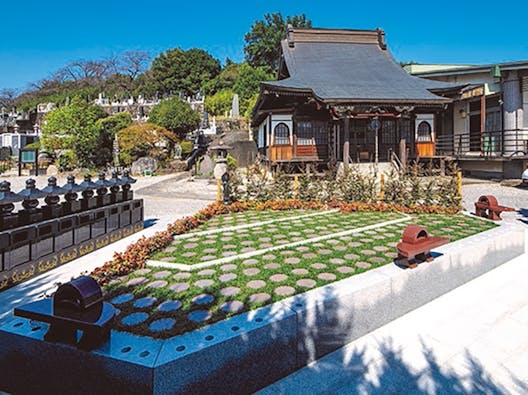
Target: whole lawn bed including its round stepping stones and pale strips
[290,252]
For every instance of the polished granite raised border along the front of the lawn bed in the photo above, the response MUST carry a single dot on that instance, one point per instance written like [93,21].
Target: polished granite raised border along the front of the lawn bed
[252,350]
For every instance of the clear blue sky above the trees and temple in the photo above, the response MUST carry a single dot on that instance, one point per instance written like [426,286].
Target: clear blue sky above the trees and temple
[37,38]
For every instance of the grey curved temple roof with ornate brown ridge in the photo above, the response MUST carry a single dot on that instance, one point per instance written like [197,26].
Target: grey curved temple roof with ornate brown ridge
[349,66]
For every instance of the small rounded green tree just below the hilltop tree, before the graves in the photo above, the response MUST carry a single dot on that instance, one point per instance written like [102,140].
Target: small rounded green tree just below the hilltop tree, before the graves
[175,115]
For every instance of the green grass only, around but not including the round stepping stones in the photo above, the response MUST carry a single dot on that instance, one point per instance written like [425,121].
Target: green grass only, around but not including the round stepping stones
[454,227]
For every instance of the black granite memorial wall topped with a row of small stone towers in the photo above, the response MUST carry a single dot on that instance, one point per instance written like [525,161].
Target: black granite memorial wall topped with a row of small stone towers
[32,243]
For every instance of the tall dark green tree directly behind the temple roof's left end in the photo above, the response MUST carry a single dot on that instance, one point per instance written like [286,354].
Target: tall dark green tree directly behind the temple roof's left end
[262,46]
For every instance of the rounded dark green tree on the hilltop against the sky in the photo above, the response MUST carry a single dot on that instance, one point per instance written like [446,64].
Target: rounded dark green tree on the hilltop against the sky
[177,70]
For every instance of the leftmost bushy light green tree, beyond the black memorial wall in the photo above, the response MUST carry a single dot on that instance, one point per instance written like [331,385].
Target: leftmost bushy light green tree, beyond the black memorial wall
[74,126]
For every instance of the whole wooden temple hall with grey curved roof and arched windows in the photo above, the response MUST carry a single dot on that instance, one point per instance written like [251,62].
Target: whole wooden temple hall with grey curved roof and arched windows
[340,96]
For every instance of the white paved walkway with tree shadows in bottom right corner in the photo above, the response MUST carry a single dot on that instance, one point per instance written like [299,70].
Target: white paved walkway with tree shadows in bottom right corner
[472,340]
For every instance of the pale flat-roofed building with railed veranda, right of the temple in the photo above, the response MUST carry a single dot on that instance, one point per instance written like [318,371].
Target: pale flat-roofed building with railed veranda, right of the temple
[486,127]
